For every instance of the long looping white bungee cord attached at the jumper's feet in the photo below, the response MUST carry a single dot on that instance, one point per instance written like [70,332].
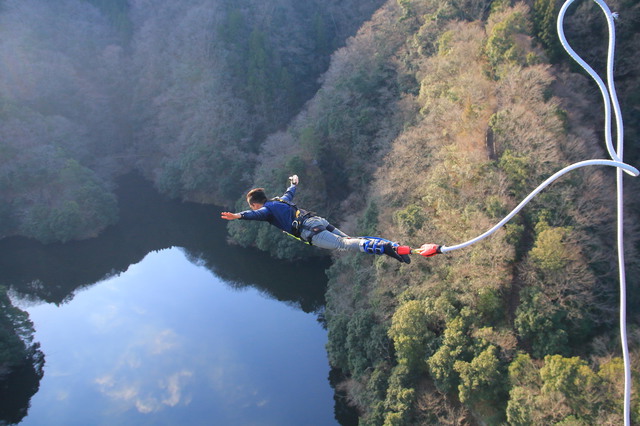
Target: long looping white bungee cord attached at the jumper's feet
[610,99]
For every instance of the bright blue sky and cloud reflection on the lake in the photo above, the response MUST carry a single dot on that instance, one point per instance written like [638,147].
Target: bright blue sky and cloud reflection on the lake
[168,342]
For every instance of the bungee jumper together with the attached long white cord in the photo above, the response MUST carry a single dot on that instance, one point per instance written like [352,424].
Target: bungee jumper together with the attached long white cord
[310,228]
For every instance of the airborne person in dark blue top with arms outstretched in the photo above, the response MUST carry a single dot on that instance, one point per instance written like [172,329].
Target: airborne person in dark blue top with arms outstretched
[310,228]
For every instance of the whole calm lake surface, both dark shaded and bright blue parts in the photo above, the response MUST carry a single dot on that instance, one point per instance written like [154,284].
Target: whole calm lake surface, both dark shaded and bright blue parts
[159,321]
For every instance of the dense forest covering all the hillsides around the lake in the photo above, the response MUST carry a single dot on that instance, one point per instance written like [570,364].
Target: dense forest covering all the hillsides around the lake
[417,120]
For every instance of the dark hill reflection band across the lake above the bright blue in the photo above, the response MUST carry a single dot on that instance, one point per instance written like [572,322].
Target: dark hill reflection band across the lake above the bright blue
[148,223]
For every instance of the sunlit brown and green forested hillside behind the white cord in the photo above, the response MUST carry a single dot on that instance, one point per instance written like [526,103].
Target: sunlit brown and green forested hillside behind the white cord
[431,124]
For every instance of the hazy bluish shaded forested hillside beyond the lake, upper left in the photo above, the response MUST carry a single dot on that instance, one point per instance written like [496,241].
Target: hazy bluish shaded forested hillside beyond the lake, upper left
[182,91]
